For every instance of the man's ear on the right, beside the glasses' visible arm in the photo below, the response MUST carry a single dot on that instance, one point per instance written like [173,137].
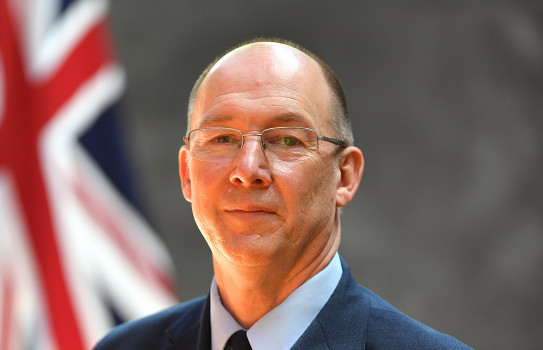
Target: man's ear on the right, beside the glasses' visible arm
[351,167]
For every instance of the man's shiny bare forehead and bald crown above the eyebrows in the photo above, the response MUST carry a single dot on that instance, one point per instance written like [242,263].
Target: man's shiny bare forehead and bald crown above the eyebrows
[264,78]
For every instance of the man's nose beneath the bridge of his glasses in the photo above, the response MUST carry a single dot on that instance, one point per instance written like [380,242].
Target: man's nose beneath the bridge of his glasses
[251,166]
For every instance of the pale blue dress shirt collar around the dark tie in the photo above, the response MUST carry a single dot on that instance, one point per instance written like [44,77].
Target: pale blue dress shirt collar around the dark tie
[281,327]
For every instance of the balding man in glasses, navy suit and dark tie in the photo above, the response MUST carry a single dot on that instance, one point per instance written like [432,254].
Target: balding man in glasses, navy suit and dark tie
[269,162]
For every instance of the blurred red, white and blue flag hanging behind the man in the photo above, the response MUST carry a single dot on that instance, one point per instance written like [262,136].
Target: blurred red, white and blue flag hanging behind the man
[76,256]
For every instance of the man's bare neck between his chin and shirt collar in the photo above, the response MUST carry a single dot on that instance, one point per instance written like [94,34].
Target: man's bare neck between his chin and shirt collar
[248,293]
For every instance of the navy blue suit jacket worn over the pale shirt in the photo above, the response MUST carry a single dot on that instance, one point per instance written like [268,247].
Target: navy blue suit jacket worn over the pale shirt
[353,318]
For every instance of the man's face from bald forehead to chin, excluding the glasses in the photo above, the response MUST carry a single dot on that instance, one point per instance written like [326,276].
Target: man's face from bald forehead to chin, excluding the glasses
[255,210]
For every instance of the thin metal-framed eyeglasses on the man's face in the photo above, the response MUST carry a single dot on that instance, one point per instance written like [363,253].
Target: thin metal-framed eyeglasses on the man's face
[283,143]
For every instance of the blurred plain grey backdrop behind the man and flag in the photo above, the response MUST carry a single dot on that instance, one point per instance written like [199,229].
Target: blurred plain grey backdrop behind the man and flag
[446,104]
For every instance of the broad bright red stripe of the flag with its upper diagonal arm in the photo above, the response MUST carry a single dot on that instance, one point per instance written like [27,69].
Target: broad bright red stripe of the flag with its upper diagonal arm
[28,109]
